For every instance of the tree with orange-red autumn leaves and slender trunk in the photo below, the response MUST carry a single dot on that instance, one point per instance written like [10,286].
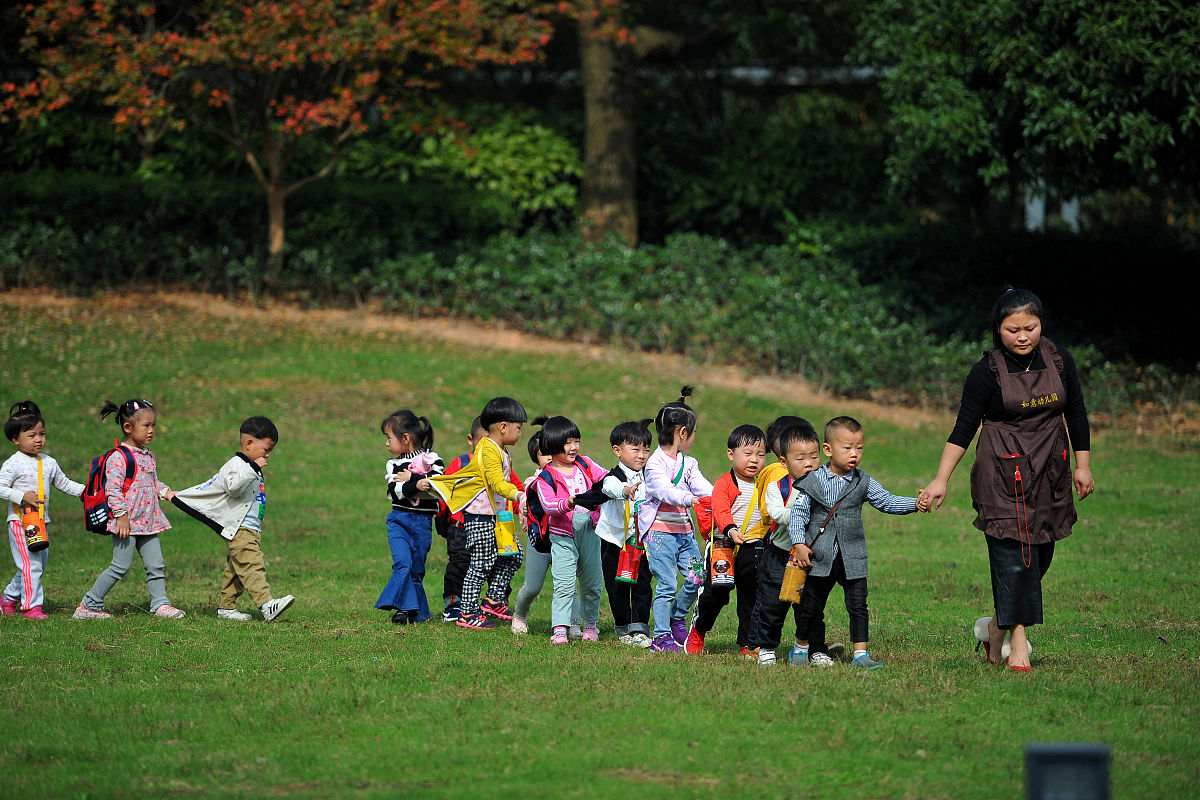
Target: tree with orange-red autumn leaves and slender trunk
[265,77]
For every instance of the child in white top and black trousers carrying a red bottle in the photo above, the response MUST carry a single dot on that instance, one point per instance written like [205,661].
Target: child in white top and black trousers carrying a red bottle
[619,497]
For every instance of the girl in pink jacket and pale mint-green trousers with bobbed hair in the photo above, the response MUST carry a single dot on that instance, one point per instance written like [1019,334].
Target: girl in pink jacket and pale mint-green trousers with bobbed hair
[574,545]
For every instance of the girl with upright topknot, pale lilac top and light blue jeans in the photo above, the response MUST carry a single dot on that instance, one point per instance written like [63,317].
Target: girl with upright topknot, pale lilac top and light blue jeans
[674,484]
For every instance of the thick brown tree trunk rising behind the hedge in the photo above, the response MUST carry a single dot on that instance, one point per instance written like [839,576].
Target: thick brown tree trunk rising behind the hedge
[610,159]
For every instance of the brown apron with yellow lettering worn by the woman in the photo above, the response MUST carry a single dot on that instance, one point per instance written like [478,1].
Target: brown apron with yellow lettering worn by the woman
[1021,483]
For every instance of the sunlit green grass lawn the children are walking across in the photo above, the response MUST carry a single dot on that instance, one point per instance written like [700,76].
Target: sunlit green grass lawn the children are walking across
[332,701]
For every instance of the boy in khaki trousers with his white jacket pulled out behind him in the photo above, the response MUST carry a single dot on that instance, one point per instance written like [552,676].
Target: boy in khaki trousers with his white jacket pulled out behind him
[233,503]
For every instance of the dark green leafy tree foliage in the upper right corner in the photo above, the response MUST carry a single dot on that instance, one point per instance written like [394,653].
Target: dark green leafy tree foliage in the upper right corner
[1081,95]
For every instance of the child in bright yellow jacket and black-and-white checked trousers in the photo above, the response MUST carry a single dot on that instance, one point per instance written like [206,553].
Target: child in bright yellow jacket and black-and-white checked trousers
[481,490]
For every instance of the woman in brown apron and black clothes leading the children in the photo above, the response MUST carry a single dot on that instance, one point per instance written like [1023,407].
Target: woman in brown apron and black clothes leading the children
[1021,392]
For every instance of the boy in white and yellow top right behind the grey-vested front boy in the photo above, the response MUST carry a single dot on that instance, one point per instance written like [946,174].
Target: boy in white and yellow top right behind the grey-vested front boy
[801,454]
